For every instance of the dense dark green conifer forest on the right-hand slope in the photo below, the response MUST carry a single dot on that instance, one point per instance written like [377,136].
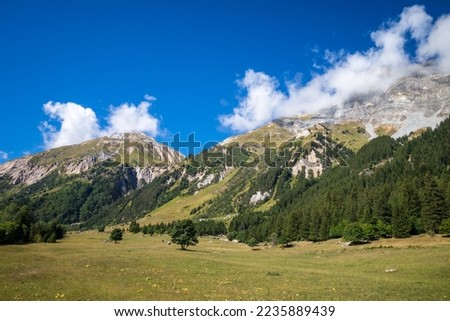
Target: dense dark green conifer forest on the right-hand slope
[389,188]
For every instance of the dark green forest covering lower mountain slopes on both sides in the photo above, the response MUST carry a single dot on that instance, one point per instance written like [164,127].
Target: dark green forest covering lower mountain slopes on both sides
[388,188]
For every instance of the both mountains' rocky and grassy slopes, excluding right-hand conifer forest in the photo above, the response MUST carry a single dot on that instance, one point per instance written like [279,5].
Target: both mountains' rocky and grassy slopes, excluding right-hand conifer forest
[124,177]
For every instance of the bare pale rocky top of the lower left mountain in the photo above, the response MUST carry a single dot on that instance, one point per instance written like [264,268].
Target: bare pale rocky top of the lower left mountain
[143,153]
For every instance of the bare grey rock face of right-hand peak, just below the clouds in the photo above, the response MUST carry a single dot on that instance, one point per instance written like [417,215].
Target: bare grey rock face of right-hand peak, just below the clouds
[409,104]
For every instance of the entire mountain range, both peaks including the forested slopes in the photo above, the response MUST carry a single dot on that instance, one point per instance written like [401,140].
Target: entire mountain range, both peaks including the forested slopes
[296,177]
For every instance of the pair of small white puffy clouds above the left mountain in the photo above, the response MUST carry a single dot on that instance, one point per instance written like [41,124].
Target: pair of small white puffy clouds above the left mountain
[78,123]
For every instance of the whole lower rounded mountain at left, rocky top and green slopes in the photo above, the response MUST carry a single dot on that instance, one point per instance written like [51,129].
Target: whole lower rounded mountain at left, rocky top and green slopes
[75,184]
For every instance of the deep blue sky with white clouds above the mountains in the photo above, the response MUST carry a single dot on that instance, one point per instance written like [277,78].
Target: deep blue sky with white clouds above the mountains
[74,70]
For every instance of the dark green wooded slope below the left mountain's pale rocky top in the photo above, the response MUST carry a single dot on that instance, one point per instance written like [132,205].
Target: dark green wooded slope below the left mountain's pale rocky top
[94,198]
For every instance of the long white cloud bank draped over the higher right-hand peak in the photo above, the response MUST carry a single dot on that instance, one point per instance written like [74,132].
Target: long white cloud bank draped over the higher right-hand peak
[350,74]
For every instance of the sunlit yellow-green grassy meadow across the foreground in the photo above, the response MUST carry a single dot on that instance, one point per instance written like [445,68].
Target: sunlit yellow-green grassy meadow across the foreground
[85,267]
